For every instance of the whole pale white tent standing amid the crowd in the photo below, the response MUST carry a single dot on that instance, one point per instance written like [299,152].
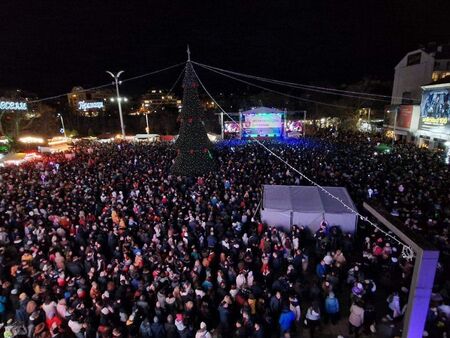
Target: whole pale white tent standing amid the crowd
[284,206]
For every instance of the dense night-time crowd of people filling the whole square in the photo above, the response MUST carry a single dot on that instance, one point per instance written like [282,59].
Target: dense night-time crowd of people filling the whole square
[105,242]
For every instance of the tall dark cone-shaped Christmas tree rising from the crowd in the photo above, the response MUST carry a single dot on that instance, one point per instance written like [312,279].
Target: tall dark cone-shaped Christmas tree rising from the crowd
[193,146]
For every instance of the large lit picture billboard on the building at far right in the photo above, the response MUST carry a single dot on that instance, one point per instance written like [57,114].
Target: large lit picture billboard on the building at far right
[435,110]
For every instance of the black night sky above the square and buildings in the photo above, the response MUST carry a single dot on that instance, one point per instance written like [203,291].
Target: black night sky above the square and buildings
[49,46]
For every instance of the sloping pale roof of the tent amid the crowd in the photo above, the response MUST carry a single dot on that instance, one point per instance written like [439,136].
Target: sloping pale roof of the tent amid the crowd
[306,199]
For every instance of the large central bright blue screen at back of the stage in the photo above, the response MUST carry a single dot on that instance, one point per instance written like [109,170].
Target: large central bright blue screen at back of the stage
[262,125]
